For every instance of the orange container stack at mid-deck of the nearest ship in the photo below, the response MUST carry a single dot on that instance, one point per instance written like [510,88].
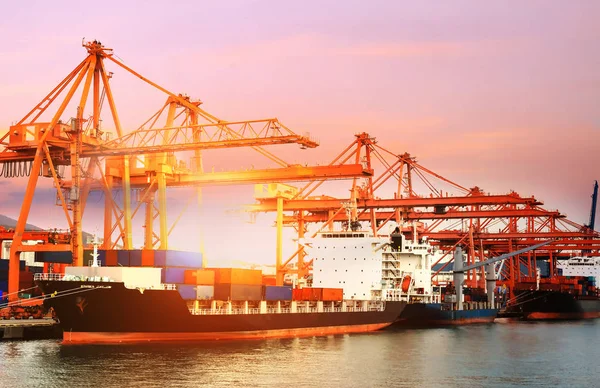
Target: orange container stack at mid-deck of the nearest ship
[238,284]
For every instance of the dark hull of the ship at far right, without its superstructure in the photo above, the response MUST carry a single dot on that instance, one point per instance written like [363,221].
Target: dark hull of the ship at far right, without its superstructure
[553,305]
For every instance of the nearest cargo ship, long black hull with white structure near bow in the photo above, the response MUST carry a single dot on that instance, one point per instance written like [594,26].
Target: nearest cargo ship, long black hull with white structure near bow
[132,304]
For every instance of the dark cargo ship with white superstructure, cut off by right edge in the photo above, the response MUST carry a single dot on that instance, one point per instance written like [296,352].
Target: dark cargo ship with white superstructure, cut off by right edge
[572,296]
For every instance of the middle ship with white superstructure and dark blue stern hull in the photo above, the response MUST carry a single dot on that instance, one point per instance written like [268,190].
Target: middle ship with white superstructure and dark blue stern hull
[391,268]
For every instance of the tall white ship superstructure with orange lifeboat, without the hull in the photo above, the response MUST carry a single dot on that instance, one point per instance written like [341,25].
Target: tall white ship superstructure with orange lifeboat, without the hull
[368,267]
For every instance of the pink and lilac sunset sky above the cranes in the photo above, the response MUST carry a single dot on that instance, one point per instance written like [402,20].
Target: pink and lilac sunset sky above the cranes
[496,94]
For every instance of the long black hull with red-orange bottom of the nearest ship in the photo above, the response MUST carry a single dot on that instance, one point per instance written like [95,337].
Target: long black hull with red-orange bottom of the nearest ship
[95,312]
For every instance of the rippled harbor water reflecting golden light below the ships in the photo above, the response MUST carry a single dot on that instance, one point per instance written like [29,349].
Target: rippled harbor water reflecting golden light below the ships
[493,355]
